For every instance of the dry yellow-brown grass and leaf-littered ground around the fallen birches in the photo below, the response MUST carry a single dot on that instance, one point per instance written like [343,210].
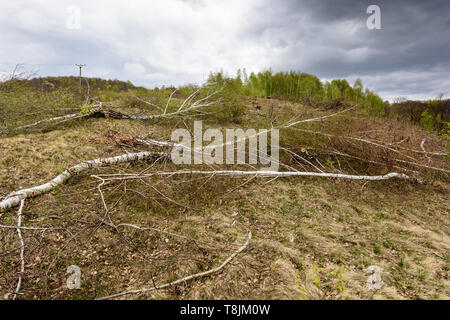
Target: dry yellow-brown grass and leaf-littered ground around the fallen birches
[313,238]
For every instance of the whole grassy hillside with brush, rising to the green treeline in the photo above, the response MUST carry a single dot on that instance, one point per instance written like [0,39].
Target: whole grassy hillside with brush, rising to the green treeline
[312,237]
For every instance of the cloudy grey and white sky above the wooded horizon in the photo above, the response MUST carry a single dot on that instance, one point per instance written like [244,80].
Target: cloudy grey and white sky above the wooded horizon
[175,42]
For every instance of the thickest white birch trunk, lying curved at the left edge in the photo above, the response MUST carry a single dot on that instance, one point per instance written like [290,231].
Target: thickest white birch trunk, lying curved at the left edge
[16,197]
